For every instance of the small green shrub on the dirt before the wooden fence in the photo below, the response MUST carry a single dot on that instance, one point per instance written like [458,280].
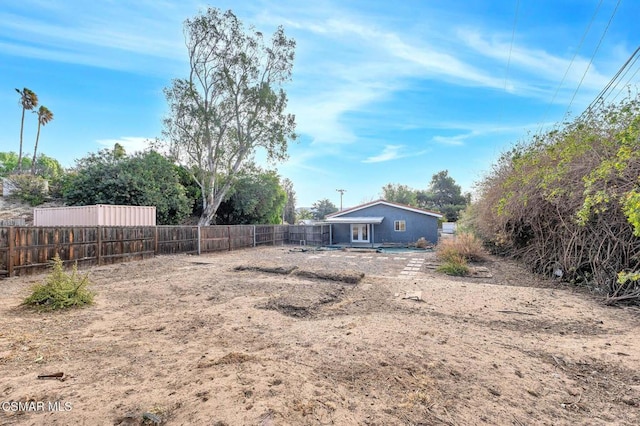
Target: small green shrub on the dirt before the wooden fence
[61,290]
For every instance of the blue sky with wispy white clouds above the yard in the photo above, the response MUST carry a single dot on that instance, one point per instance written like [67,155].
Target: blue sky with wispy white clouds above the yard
[383,92]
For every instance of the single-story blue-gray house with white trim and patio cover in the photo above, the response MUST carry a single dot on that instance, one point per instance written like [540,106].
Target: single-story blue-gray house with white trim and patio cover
[381,222]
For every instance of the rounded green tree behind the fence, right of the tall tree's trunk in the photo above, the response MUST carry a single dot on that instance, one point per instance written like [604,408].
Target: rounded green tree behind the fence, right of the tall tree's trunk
[255,197]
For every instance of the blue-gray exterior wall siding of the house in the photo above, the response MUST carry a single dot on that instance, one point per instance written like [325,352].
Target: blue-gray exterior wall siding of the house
[417,225]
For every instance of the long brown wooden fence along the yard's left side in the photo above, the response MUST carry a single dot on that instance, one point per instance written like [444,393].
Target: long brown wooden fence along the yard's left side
[28,249]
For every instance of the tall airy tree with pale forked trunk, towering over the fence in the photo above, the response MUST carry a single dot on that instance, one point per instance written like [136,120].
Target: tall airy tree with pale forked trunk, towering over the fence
[231,103]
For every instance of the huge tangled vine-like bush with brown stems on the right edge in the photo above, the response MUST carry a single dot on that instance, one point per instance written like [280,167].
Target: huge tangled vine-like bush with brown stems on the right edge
[567,202]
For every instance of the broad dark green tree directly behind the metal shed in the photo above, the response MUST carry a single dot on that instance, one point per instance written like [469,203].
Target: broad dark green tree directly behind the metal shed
[145,179]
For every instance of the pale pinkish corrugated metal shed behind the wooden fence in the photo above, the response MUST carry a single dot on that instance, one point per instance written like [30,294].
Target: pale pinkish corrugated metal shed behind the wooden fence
[96,215]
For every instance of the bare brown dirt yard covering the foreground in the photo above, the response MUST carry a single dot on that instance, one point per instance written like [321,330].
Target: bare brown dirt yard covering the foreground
[188,340]
